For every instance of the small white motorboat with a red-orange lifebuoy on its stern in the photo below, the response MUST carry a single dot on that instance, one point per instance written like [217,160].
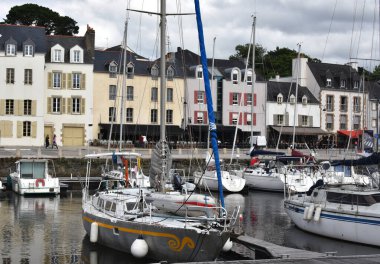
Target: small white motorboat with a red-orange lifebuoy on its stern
[34,176]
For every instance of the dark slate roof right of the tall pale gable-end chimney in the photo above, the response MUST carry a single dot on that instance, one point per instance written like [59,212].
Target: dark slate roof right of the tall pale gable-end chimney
[335,72]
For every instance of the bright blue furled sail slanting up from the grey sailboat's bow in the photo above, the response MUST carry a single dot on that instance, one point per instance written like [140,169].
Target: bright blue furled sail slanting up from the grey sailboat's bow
[210,109]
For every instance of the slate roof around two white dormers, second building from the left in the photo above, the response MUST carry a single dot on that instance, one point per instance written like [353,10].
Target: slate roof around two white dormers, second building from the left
[68,42]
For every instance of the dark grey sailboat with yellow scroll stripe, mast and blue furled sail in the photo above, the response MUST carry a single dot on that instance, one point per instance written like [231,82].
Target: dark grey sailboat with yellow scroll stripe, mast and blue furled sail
[125,221]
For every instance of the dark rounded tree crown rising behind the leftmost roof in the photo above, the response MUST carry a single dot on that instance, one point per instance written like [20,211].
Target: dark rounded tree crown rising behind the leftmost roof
[32,14]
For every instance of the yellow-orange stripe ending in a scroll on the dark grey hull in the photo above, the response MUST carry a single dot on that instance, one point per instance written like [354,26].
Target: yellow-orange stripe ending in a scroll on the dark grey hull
[174,242]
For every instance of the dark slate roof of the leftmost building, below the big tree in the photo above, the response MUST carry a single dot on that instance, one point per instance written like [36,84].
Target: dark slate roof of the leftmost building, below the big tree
[20,34]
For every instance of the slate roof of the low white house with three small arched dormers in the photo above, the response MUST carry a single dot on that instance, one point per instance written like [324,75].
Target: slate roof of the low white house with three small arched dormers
[274,88]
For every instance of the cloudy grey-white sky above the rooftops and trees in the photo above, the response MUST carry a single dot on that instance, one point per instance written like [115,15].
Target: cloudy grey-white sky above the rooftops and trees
[331,30]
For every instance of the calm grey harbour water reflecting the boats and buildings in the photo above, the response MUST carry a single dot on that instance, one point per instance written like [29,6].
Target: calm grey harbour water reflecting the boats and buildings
[50,230]
